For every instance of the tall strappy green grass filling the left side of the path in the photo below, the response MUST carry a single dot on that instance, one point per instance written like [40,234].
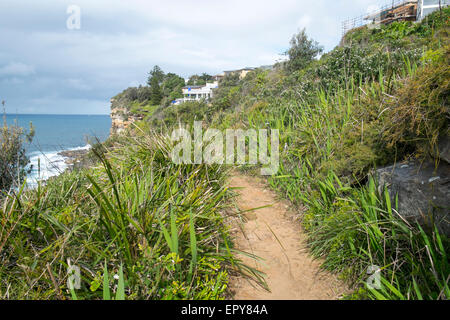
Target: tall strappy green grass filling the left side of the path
[162,222]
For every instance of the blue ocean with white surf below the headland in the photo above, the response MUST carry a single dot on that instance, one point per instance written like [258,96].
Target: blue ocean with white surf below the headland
[56,133]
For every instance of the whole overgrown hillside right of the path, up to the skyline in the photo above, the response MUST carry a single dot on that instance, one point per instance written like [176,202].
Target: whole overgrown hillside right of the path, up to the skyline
[380,98]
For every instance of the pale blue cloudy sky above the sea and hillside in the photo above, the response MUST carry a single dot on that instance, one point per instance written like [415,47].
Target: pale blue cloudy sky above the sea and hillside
[46,67]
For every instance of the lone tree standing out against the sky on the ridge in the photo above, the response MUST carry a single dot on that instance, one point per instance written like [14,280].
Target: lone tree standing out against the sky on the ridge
[302,52]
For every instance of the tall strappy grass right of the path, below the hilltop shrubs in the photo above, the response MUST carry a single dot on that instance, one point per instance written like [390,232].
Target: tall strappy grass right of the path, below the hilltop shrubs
[332,142]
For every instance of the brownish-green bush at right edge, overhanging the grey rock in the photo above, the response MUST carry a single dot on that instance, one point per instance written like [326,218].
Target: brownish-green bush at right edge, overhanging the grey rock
[421,107]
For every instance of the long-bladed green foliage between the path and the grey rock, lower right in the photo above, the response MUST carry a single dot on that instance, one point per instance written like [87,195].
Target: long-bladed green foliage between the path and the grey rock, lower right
[354,229]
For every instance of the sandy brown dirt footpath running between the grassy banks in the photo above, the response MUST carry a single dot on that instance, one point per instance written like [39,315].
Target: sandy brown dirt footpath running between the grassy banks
[273,234]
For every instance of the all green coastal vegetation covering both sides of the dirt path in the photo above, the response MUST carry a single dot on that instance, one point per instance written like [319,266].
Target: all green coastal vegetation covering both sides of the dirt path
[379,98]
